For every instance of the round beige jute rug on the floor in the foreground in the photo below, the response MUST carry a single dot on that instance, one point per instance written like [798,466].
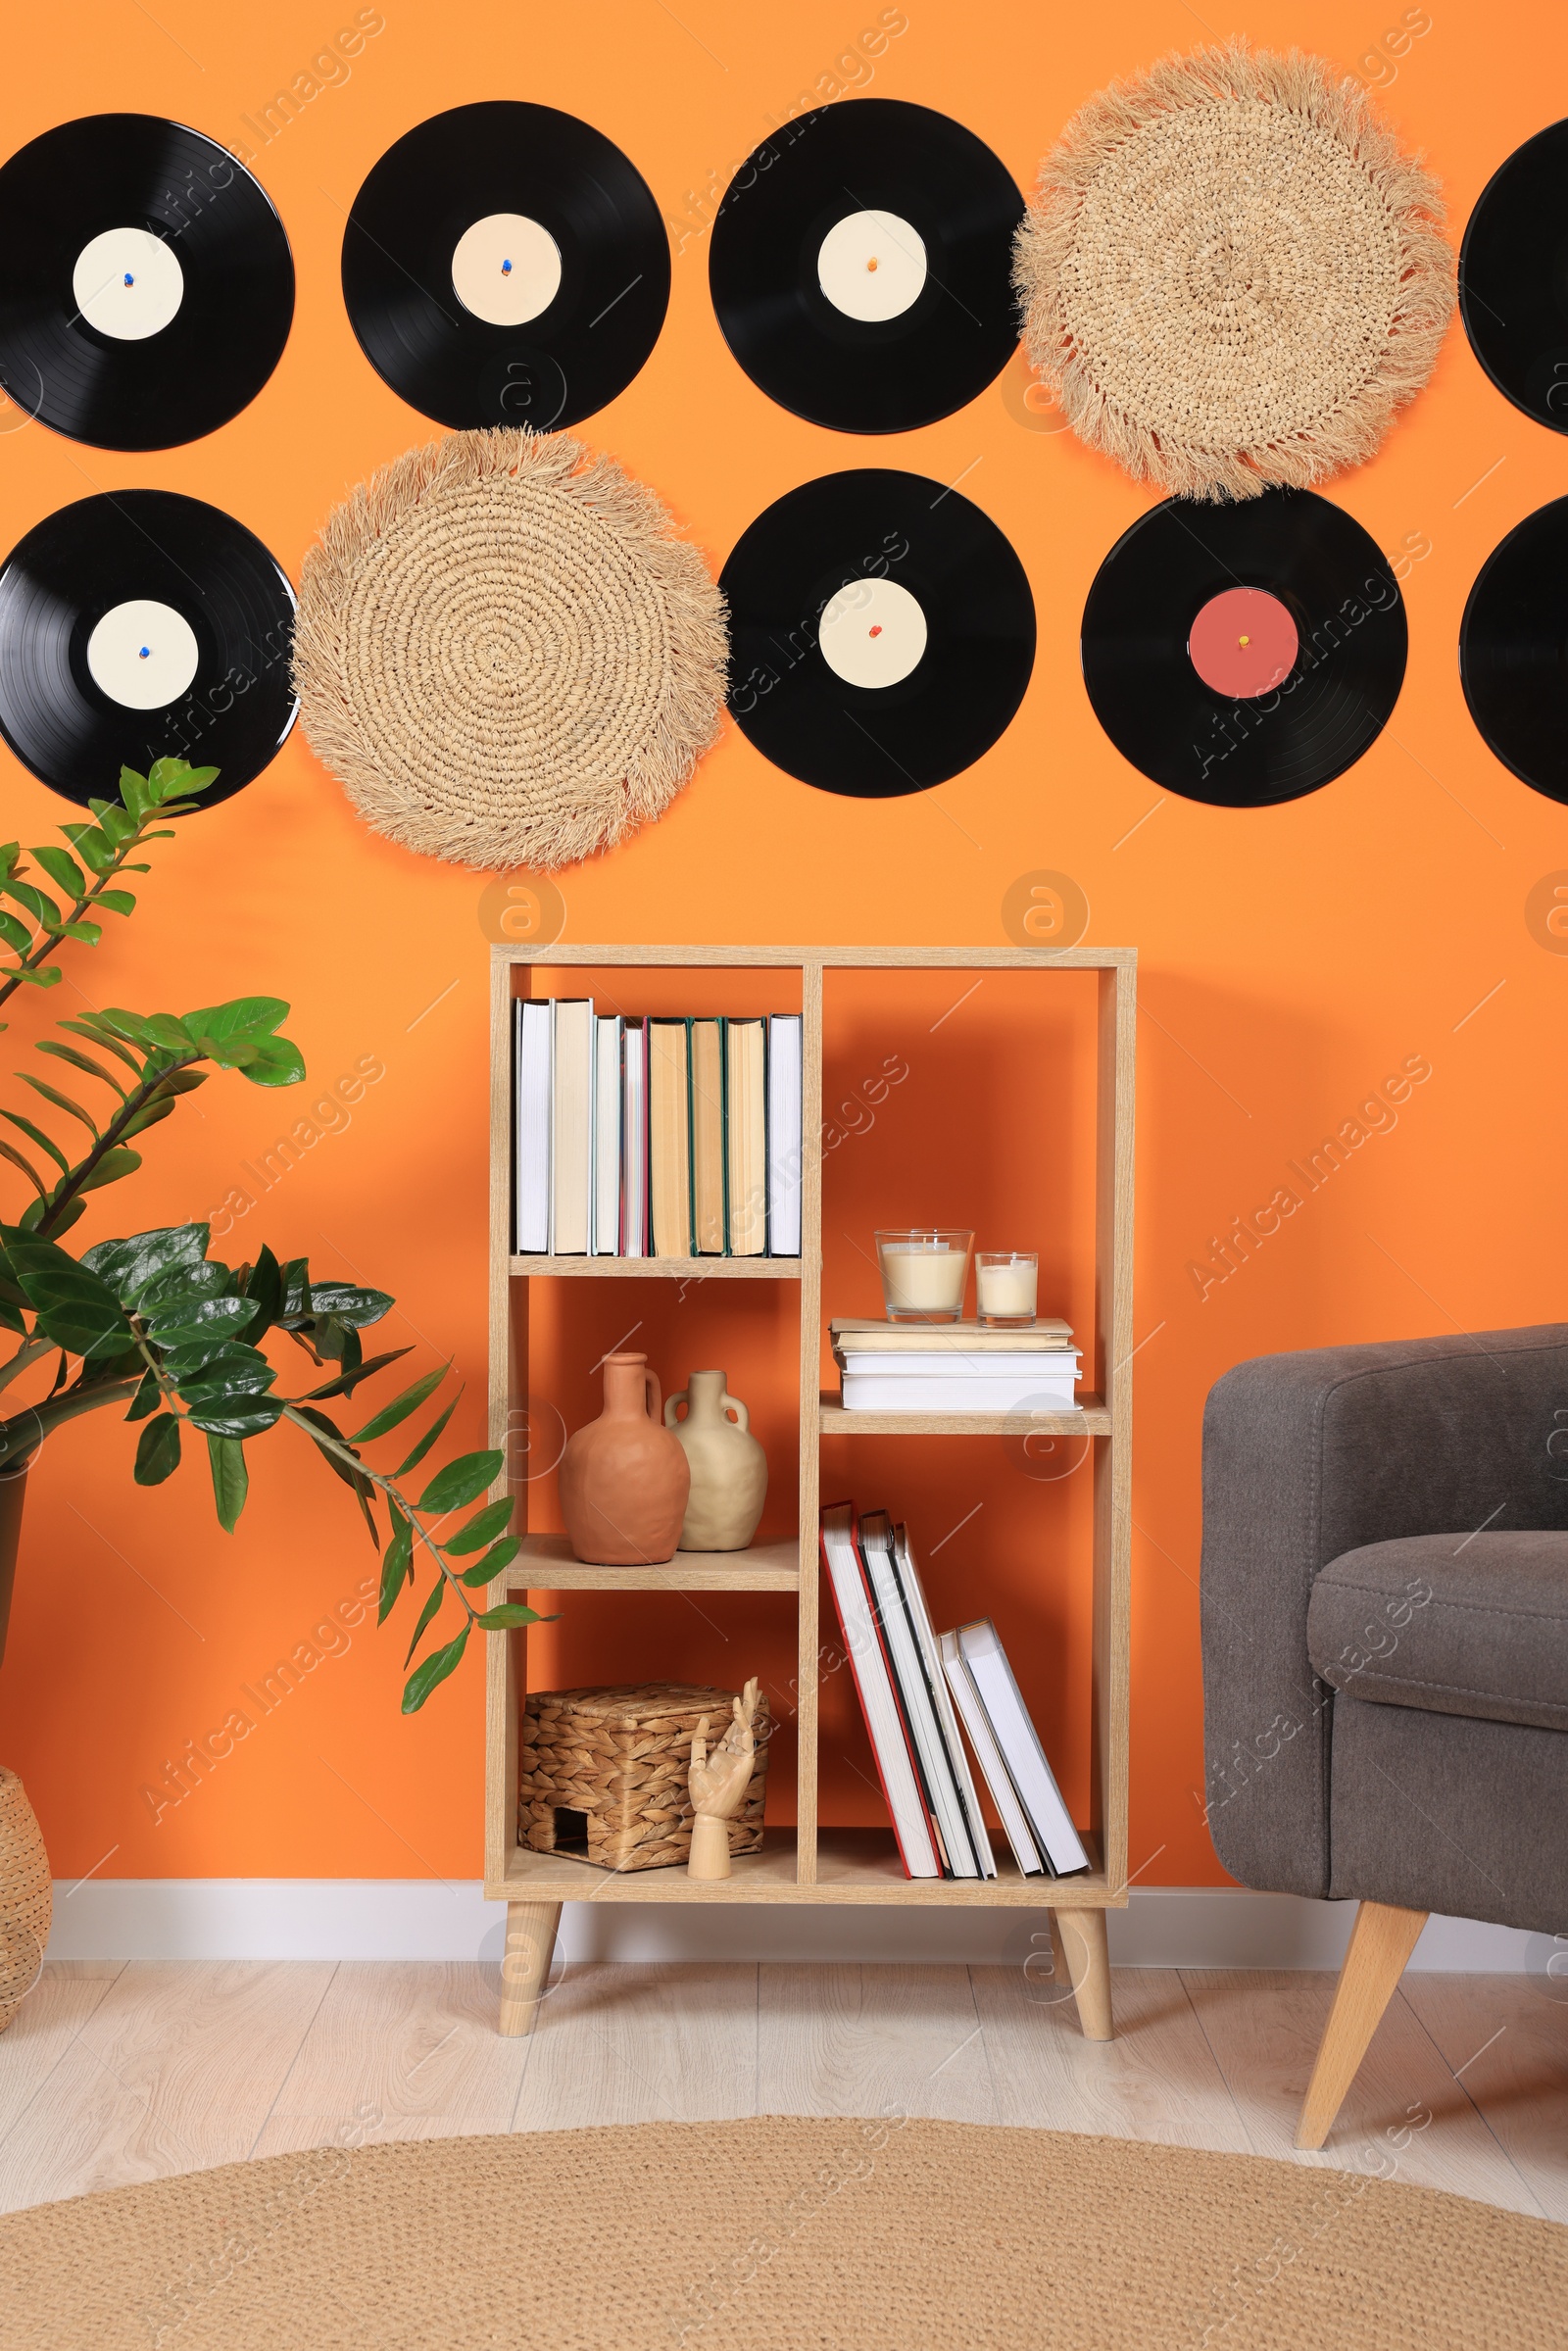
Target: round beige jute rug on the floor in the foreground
[779,2237]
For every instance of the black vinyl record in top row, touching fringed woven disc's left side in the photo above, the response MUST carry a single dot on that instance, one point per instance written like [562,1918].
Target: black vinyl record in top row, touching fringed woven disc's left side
[862,267]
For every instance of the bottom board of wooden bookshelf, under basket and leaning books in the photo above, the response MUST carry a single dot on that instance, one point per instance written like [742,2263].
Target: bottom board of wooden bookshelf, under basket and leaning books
[855,1866]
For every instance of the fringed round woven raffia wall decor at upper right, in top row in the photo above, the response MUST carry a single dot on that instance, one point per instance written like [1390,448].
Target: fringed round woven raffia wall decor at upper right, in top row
[1231,276]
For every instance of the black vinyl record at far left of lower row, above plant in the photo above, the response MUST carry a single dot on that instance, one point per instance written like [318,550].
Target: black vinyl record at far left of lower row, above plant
[140,627]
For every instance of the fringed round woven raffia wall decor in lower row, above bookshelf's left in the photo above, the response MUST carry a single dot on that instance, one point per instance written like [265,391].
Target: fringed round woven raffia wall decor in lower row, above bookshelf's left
[507,655]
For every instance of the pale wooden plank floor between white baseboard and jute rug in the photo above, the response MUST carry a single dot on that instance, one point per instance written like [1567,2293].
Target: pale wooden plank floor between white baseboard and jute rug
[114,2075]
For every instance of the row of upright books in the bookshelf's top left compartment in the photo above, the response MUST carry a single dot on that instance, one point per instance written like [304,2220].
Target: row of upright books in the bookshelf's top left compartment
[655,1139]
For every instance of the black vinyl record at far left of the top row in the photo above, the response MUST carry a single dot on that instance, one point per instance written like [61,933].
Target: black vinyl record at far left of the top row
[147,288]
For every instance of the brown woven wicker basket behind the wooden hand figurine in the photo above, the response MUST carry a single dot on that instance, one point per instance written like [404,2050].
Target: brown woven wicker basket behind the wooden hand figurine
[619,1760]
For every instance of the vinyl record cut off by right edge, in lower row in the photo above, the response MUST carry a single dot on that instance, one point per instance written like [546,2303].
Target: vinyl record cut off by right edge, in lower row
[1515,650]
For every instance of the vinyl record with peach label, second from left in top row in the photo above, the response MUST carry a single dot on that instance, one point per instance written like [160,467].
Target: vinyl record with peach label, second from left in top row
[507,264]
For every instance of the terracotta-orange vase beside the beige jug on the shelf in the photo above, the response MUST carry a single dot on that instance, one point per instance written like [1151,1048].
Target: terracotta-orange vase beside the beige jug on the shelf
[624,1478]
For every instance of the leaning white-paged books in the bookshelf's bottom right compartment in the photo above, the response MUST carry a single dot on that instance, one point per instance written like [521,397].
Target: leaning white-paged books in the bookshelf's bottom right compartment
[916,1687]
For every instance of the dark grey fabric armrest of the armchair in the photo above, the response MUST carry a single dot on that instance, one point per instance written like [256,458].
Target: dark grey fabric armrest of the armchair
[1318,1454]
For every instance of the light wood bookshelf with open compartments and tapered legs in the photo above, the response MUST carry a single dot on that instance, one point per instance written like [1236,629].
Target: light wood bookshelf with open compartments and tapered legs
[815,1863]
